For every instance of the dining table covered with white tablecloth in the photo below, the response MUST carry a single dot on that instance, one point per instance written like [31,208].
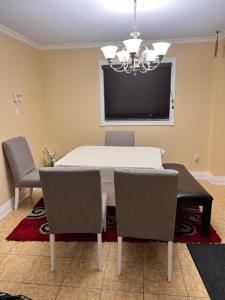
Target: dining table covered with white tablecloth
[108,158]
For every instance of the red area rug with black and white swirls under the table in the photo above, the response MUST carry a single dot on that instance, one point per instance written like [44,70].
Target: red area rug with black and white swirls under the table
[35,228]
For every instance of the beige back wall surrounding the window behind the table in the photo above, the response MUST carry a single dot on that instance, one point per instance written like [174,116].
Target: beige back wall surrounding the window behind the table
[72,103]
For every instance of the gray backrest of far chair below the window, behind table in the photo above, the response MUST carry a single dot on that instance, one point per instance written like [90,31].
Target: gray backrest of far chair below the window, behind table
[119,138]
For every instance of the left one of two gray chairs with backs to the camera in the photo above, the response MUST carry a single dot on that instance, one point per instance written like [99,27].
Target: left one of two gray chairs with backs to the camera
[74,203]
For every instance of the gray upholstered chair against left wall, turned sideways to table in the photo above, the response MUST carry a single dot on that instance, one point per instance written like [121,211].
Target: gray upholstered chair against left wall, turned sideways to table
[22,165]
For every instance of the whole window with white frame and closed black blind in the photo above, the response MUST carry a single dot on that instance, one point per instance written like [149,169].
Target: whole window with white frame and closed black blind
[141,99]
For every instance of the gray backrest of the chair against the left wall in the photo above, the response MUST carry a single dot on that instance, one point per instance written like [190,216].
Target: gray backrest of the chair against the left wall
[19,156]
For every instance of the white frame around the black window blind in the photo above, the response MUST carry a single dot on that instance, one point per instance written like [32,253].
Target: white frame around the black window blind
[157,122]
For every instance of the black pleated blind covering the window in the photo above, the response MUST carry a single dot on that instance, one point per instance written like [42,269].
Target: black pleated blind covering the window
[137,97]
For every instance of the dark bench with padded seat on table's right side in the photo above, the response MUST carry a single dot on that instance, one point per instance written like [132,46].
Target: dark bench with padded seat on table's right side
[191,192]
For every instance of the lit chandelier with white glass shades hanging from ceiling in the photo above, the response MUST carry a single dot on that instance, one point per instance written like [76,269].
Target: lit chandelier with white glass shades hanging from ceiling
[135,56]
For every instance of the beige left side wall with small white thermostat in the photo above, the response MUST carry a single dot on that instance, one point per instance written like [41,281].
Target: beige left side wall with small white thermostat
[20,70]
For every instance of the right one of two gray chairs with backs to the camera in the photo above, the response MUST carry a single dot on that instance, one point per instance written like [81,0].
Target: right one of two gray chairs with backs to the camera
[146,203]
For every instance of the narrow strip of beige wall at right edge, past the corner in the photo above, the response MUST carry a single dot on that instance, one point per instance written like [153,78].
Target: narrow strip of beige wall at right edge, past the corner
[217,155]
